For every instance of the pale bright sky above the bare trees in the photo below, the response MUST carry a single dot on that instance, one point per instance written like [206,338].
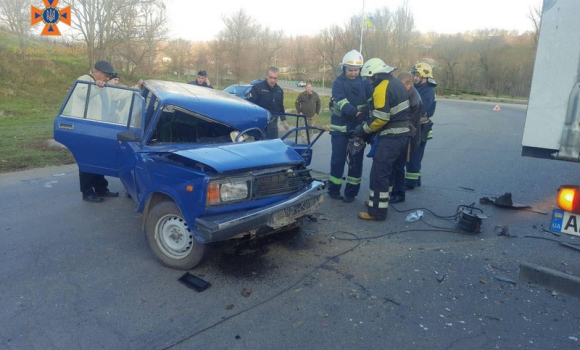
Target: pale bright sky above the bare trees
[201,21]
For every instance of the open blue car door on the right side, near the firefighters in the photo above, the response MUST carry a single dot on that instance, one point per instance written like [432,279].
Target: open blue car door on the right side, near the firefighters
[302,137]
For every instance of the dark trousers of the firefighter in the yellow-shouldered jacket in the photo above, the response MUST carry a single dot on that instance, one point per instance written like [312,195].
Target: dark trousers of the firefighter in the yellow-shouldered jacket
[386,153]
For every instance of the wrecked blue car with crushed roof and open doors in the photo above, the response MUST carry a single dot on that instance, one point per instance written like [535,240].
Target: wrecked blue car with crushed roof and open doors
[194,161]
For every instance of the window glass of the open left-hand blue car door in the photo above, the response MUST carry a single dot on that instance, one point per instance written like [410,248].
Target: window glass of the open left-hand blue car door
[108,104]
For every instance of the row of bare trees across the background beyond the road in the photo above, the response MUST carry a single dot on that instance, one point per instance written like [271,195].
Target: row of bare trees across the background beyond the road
[133,35]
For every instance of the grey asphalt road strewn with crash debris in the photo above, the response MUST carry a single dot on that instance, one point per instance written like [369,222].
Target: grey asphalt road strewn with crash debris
[78,275]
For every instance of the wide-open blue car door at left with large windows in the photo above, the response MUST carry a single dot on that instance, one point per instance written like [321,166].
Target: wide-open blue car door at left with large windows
[89,121]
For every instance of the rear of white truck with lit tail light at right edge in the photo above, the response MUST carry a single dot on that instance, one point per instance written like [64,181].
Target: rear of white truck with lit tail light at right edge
[552,128]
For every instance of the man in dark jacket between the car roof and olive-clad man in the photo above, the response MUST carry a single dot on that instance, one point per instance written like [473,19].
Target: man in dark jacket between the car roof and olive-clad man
[269,95]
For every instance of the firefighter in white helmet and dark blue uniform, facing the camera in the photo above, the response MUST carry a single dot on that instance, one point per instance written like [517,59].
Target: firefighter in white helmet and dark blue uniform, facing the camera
[351,96]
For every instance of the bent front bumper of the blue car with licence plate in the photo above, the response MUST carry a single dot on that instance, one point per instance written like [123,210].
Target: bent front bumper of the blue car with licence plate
[224,226]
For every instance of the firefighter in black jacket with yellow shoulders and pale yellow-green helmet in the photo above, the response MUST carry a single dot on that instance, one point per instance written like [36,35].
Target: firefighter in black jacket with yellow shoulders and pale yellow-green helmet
[389,122]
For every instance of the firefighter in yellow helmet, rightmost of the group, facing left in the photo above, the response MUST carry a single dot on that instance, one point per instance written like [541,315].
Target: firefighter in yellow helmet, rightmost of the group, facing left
[424,83]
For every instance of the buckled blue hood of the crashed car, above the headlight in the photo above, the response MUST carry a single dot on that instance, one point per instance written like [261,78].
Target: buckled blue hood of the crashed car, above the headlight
[238,156]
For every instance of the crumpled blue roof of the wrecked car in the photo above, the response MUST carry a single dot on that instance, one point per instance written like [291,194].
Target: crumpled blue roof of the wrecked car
[214,104]
